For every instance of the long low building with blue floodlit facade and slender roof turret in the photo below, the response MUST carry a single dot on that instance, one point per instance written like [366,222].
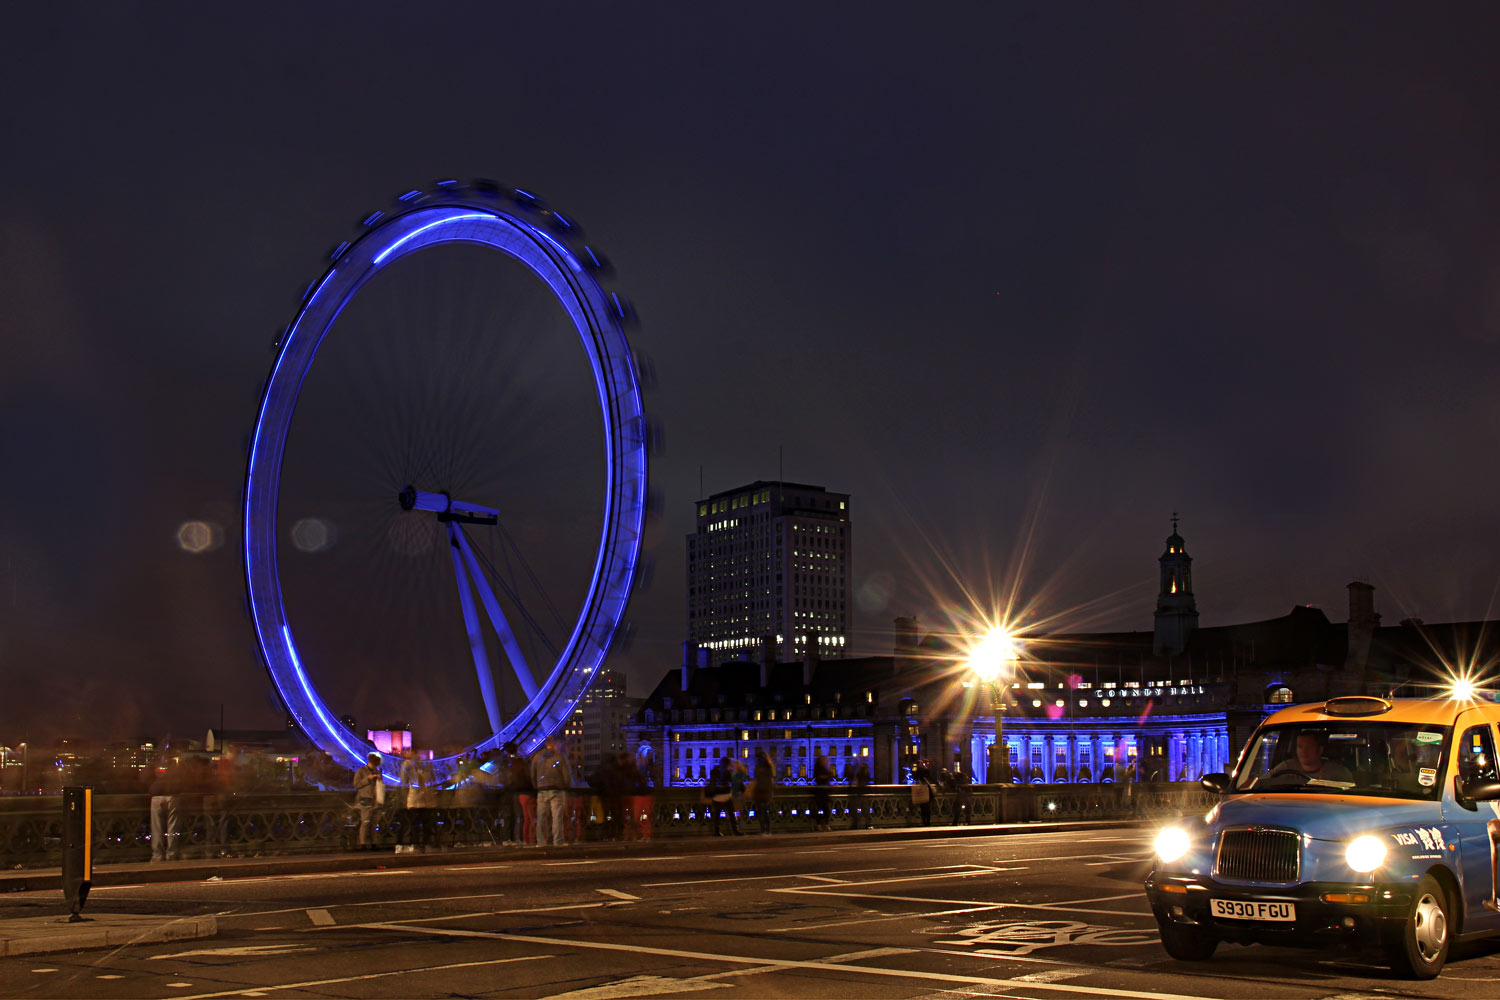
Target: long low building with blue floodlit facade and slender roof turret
[1165,705]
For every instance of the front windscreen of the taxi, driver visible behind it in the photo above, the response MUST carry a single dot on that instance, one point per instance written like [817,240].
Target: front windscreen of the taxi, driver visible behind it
[1346,758]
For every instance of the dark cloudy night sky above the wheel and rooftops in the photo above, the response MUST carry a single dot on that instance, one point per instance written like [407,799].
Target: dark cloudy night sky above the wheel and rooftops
[1022,280]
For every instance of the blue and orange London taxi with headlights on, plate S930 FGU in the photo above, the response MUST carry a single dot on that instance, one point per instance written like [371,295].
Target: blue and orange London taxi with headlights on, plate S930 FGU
[1358,822]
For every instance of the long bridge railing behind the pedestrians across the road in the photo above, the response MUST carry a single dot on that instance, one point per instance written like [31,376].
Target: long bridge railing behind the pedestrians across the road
[323,822]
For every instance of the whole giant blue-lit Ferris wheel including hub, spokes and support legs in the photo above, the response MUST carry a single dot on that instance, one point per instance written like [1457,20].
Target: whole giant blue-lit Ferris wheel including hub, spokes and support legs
[424,469]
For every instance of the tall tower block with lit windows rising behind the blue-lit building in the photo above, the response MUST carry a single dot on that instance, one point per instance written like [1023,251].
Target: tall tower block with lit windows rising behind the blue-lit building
[770,561]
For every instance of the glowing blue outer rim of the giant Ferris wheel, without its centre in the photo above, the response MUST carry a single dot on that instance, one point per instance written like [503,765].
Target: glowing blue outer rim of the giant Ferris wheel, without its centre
[515,224]
